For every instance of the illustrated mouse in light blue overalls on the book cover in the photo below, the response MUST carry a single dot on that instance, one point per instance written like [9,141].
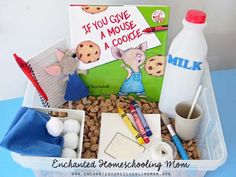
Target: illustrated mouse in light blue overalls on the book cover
[133,59]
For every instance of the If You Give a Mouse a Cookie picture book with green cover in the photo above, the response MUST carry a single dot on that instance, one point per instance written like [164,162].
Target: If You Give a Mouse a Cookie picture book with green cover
[122,48]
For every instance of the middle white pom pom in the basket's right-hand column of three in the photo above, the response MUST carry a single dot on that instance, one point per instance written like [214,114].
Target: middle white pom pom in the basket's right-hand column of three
[71,140]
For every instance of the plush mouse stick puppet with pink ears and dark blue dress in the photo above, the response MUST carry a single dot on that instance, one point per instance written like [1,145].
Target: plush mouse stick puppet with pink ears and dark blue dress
[75,87]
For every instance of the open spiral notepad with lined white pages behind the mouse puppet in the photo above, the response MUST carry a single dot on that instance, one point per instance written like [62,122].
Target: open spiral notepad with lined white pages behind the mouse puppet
[50,84]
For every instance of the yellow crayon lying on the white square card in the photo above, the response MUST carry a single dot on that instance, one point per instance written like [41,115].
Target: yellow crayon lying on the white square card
[130,125]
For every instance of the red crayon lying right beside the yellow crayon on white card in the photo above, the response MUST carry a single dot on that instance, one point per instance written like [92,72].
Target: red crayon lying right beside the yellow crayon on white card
[139,124]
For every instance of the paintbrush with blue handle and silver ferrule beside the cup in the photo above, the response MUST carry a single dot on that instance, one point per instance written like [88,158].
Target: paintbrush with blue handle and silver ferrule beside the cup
[175,138]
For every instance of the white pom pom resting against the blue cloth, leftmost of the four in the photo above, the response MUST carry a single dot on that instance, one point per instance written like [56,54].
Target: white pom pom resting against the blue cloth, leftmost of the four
[54,126]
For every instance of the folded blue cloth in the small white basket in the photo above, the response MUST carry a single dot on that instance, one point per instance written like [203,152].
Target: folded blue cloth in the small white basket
[28,135]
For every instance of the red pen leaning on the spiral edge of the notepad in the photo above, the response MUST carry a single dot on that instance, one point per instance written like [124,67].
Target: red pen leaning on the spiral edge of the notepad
[25,68]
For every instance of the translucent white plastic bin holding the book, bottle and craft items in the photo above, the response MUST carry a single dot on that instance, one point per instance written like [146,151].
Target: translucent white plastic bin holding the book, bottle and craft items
[210,141]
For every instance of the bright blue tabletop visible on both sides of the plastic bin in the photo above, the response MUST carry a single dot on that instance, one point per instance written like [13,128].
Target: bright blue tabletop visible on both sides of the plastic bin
[224,83]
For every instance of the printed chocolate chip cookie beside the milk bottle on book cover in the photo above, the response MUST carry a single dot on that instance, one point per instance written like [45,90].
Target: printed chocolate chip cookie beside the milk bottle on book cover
[155,65]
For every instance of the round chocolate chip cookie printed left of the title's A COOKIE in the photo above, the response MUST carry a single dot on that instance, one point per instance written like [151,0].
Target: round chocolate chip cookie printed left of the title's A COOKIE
[88,52]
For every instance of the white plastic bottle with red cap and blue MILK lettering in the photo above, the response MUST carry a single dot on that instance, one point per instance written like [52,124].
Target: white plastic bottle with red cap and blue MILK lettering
[184,63]
